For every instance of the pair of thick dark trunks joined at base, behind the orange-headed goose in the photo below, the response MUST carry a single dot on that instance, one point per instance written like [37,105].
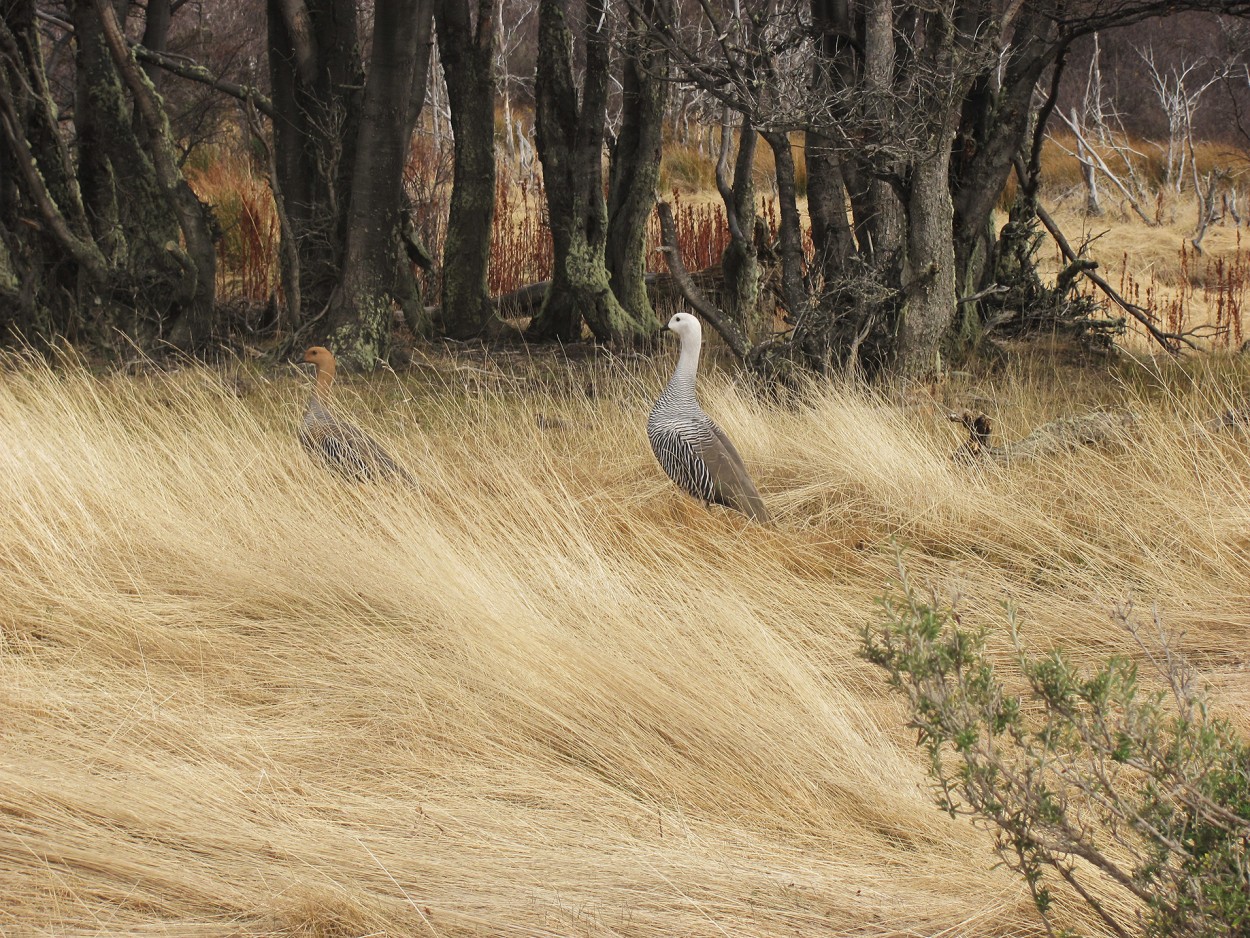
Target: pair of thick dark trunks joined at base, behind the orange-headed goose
[342,143]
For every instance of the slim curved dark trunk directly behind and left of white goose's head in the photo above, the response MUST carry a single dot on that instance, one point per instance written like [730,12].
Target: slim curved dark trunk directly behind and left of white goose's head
[634,172]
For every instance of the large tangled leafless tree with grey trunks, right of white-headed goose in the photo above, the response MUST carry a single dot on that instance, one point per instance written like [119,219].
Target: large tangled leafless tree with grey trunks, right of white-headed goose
[914,116]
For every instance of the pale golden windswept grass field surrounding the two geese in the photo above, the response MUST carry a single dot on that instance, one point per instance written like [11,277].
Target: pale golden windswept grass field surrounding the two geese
[547,695]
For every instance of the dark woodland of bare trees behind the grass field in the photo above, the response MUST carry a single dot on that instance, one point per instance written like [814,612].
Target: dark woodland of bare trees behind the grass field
[483,149]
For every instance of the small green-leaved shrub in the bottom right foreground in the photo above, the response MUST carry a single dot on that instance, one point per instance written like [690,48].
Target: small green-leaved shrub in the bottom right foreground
[1086,771]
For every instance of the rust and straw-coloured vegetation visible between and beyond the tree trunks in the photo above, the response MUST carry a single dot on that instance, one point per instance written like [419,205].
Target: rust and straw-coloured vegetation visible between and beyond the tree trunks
[1156,267]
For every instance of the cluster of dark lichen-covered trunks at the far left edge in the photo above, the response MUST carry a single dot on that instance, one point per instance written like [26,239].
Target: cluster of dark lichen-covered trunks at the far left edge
[121,245]
